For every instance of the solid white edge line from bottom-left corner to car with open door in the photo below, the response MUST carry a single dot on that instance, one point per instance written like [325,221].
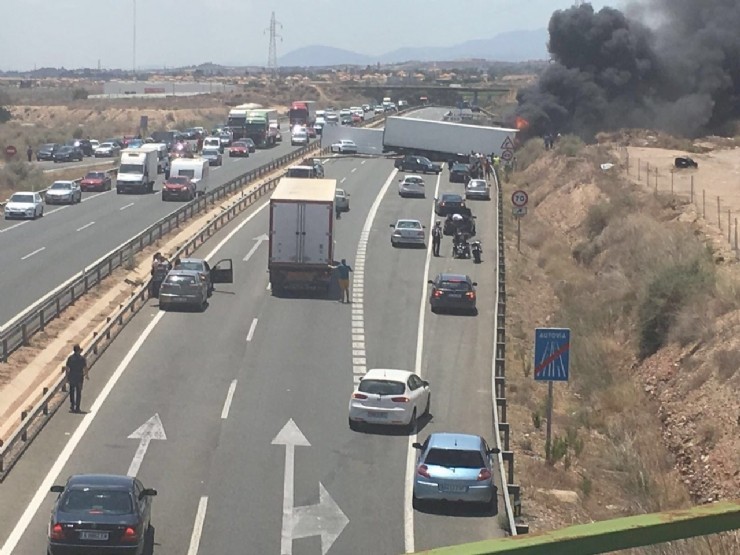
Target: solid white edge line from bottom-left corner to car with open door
[43,491]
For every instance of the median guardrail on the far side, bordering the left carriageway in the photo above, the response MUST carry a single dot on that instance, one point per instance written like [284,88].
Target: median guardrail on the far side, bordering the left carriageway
[18,331]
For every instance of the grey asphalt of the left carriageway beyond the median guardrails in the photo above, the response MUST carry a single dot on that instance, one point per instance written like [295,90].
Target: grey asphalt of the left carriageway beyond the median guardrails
[69,238]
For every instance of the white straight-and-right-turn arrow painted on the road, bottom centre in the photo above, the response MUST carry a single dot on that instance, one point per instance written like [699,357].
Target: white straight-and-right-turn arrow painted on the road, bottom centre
[325,519]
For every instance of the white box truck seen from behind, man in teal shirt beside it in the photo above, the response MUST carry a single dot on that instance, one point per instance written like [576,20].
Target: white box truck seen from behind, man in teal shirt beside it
[301,249]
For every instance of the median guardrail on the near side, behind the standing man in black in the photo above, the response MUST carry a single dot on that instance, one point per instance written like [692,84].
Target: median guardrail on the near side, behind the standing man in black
[33,420]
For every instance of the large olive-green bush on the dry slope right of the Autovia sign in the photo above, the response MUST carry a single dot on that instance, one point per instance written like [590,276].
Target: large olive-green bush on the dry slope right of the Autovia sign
[663,299]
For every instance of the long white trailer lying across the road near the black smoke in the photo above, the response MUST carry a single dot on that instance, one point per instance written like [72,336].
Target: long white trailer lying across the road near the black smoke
[438,140]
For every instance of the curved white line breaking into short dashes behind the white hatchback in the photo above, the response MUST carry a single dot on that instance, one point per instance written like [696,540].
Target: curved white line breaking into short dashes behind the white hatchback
[359,354]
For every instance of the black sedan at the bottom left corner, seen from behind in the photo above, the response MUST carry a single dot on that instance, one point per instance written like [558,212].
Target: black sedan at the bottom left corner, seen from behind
[100,513]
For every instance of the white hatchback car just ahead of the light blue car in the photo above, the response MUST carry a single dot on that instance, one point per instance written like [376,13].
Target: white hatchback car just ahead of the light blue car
[390,397]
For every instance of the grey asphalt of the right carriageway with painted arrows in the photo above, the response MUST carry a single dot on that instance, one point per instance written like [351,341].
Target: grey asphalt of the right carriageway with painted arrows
[252,395]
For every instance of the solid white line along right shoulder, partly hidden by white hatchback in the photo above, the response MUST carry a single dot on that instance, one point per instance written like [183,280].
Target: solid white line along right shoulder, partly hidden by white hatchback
[408,510]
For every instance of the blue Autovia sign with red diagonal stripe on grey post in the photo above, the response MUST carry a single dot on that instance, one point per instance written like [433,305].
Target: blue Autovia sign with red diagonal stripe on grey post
[551,364]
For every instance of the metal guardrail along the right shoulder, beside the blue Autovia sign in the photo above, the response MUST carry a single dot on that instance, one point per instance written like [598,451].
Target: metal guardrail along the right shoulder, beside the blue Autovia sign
[511,490]
